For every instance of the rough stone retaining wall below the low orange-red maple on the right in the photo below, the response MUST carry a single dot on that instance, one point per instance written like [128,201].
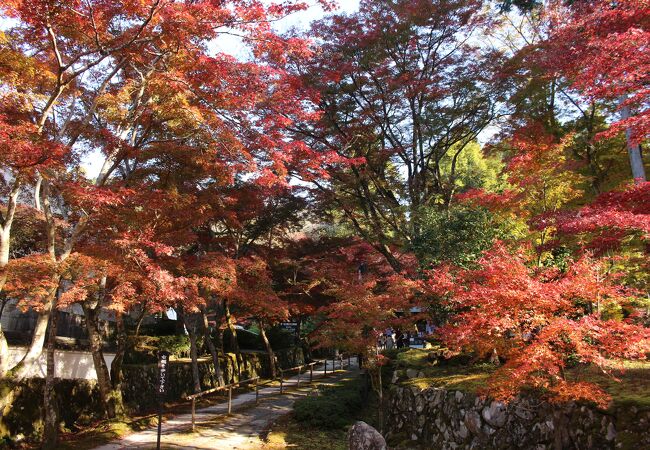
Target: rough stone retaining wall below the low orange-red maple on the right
[436,418]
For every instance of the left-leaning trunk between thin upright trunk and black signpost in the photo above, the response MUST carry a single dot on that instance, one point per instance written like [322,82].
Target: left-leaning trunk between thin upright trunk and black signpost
[111,400]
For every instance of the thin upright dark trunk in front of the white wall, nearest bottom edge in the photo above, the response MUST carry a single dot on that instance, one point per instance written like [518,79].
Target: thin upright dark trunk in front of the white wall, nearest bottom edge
[51,422]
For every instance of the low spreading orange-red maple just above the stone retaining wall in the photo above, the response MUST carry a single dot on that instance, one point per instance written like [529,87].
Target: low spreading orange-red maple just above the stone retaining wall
[538,321]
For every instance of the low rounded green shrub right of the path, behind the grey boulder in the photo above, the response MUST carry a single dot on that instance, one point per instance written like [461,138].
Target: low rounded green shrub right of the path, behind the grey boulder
[334,408]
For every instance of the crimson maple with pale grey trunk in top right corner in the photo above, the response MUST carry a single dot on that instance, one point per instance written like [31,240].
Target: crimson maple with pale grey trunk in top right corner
[606,44]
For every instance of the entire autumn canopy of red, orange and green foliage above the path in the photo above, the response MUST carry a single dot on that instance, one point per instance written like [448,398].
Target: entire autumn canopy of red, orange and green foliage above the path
[476,165]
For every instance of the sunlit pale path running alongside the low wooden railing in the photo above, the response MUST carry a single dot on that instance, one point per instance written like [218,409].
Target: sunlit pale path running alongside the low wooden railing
[241,430]
